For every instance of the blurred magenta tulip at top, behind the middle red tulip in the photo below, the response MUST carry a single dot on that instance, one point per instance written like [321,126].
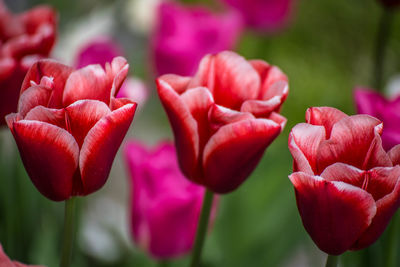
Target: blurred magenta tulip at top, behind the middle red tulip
[183,35]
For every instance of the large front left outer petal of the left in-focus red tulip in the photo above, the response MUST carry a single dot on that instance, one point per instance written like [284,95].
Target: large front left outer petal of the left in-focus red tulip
[50,156]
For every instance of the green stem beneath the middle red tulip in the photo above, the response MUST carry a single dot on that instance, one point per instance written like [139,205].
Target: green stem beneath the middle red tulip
[202,228]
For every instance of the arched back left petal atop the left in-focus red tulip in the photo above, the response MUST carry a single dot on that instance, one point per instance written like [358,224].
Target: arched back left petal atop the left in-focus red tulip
[50,68]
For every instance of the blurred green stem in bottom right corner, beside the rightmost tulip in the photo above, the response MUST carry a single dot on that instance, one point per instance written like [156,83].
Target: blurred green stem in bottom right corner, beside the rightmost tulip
[393,244]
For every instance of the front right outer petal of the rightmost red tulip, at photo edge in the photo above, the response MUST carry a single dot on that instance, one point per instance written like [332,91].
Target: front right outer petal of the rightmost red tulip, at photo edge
[386,206]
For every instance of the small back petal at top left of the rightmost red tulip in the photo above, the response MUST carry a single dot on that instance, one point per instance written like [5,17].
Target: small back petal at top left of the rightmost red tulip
[325,116]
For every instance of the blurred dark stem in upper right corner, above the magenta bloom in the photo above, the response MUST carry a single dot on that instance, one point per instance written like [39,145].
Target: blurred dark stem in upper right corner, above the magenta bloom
[382,38]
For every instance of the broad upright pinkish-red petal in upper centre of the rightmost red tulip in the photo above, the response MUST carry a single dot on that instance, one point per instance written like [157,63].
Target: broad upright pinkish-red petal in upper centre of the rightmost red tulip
[354,140]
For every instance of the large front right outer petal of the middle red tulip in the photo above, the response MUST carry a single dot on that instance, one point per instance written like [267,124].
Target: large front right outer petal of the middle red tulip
[233,152]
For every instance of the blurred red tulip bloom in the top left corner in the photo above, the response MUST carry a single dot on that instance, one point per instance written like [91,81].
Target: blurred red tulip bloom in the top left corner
[24,38]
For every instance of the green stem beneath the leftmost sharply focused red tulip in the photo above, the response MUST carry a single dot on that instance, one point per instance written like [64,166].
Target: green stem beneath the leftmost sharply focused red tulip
[68,233]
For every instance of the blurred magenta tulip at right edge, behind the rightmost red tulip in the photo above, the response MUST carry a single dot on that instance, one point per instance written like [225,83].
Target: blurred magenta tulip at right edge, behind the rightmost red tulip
[372,103]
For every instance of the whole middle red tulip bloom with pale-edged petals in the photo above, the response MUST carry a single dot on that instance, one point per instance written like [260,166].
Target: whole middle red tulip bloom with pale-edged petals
[224,117]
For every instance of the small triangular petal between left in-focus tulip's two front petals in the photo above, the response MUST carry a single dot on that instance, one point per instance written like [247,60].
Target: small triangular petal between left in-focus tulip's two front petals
[82,115]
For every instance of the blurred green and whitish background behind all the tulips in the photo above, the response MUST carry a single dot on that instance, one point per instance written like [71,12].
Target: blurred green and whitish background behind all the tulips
[325,48]
